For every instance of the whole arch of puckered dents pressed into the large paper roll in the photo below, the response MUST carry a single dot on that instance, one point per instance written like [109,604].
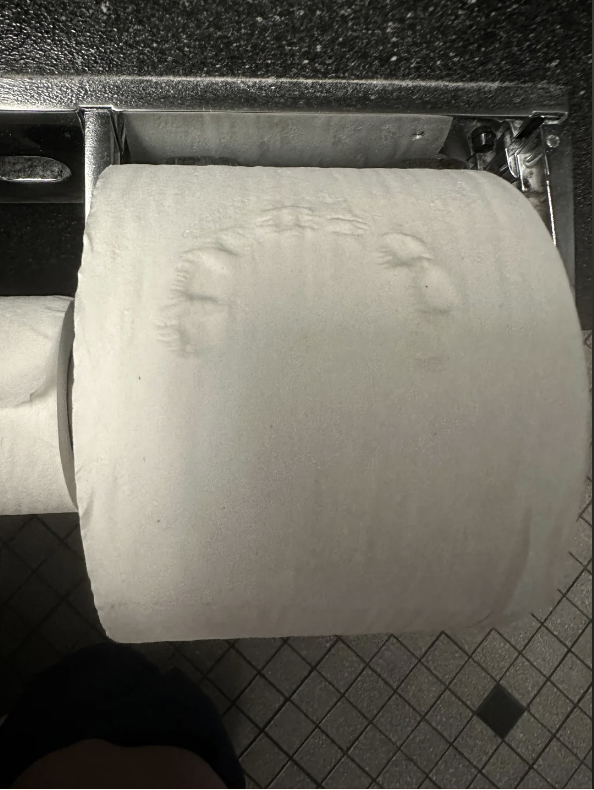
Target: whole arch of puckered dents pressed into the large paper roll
[195,317]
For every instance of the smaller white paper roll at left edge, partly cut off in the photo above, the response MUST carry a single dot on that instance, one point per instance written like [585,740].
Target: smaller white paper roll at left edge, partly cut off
[36,463]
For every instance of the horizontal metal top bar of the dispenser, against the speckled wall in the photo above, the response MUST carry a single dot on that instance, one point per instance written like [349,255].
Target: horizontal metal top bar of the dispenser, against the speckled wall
[22,92]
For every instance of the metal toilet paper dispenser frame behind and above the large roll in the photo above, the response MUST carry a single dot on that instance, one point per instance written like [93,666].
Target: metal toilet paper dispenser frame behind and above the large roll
[57,134]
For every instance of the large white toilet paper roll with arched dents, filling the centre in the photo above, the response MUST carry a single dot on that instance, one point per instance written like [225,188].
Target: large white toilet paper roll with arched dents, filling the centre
[314,401]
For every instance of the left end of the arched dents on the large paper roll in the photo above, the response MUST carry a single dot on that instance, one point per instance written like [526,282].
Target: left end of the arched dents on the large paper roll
[195,316]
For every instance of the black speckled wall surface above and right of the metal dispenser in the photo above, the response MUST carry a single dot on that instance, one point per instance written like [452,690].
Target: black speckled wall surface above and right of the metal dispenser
[456,40]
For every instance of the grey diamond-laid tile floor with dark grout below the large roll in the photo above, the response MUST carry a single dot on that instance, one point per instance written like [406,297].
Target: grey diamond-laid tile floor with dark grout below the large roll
[511,708]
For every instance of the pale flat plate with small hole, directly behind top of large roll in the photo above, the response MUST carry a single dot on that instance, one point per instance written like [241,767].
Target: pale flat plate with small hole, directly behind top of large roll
[285,139]
